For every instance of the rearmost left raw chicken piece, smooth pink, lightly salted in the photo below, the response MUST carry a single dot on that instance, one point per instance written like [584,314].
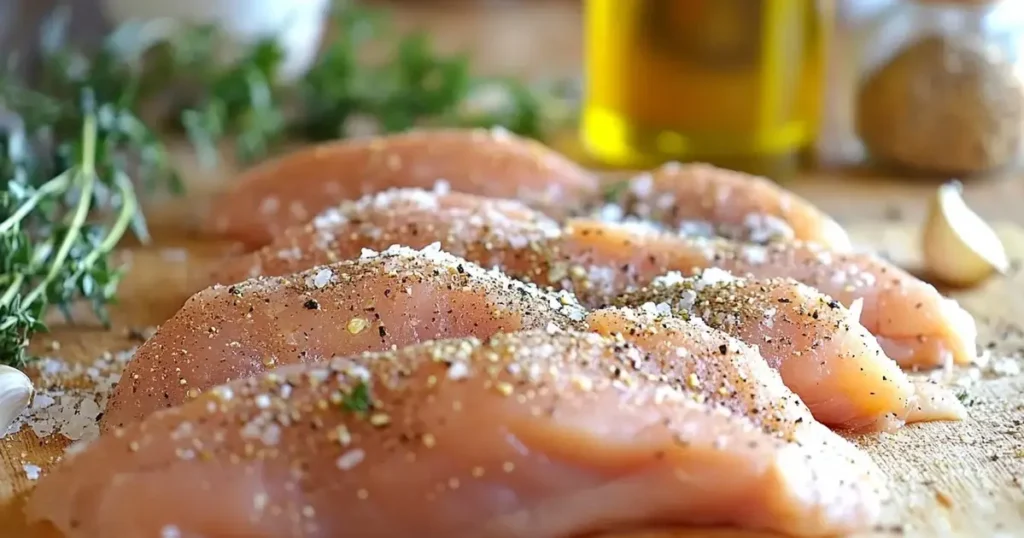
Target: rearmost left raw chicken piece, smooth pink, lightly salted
[293,189]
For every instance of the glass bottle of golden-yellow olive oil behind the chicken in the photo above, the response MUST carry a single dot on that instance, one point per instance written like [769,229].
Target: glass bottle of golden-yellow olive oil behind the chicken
[733,82]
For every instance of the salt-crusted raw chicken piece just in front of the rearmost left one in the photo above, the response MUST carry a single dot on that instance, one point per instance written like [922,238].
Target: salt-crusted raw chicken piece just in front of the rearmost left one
[489,232]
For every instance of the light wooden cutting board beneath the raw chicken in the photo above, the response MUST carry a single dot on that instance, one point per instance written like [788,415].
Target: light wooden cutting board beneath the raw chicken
[963,480]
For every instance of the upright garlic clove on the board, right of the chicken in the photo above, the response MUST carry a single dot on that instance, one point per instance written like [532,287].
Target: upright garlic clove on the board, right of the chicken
[960,249]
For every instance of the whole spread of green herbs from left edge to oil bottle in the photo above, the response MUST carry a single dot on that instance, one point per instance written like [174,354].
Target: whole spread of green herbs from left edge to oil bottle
[74,145]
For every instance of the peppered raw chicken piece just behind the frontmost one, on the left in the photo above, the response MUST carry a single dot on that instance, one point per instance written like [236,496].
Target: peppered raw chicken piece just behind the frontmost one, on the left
[379,302]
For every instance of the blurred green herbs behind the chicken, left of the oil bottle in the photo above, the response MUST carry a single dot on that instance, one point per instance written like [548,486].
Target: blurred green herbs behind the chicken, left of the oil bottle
[414,86]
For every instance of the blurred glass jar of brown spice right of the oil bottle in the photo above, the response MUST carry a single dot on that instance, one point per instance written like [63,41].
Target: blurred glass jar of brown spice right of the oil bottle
[938,89]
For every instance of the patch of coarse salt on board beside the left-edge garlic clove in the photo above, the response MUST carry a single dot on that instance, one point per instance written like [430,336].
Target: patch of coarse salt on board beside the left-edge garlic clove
[70,398]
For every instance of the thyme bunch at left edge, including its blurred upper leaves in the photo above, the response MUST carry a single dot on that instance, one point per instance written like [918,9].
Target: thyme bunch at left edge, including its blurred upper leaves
[69,146]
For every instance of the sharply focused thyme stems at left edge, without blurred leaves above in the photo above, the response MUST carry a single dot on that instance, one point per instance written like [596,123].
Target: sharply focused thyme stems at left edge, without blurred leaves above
[53,255]
